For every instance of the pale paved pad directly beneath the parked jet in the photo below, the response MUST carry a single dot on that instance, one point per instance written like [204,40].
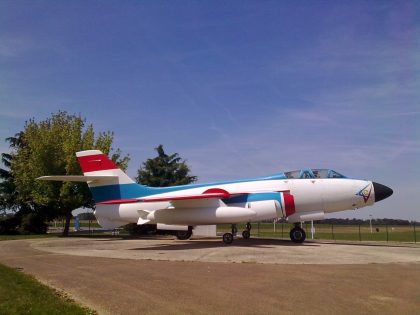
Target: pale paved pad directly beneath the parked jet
[262,251]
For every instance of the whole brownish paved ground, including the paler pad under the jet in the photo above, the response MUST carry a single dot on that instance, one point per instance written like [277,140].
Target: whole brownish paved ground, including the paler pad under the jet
[257,276]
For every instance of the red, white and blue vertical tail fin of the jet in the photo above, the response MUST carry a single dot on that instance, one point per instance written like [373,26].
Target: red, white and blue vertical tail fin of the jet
[119,186]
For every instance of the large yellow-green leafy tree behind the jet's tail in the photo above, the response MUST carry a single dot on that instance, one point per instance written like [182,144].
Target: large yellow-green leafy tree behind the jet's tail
[48,148]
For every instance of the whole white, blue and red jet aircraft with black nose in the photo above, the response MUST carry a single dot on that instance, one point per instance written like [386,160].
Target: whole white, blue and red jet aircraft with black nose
[298,196]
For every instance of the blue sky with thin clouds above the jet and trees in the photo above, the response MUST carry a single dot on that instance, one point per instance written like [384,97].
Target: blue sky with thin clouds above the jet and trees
[238,88]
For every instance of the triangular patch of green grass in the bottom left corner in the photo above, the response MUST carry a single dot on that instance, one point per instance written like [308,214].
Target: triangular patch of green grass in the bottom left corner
[22,294]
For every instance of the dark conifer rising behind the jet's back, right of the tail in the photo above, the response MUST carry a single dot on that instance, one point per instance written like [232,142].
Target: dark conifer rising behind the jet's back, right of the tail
[164,170]
